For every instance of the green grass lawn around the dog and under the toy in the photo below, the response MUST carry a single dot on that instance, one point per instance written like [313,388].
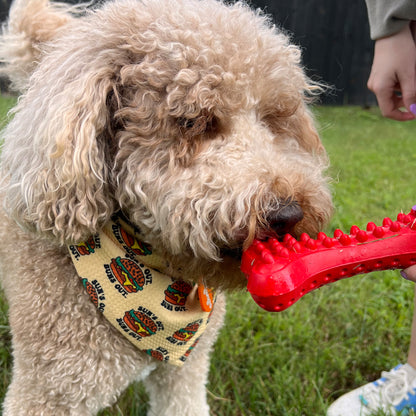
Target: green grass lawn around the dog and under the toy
[299,361]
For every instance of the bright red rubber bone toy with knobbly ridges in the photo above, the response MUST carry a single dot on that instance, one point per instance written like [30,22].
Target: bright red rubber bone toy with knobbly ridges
[280,273]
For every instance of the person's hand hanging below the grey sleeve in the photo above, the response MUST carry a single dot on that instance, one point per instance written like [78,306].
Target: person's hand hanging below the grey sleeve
[394,71]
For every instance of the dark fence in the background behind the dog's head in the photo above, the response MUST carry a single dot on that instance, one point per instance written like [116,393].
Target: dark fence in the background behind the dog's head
[334,36]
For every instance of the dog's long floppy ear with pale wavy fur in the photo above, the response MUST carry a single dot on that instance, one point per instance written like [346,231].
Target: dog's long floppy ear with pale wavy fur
[55,157]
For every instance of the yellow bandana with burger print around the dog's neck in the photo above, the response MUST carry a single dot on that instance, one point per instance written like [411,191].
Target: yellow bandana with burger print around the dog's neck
[161,316]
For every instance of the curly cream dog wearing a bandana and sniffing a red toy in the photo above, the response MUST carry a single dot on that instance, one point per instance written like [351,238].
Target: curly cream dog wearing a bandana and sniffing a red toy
[190,117]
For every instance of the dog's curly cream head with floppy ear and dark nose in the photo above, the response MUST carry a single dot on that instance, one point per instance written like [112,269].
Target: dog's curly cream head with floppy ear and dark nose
[188,115]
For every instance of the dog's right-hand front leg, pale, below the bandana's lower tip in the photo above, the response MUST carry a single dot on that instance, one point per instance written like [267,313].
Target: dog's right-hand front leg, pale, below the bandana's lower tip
[181,390]
